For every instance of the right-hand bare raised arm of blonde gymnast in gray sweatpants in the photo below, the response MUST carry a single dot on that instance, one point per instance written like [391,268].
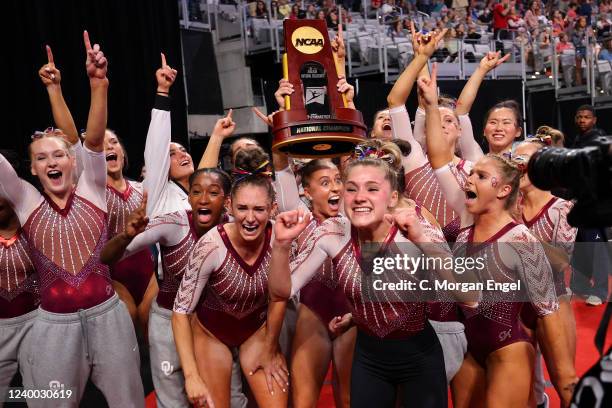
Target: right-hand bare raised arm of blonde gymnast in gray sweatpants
[96,66]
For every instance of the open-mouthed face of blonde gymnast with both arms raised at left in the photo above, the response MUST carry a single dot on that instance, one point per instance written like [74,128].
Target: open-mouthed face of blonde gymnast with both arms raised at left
[52,164]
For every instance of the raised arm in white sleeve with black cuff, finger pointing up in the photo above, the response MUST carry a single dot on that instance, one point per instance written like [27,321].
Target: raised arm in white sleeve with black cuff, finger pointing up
[157,145]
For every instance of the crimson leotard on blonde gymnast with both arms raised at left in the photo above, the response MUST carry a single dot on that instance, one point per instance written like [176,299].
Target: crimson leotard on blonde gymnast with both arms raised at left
[65,244]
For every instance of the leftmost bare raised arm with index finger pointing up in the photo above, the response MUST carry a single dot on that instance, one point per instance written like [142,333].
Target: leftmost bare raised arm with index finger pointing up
[51,78]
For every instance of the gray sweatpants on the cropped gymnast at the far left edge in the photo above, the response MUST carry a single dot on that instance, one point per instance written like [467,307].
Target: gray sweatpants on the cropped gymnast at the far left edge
[13,353]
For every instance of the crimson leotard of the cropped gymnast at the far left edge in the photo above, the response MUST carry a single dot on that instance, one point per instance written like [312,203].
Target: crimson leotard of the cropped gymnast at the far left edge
[18,278]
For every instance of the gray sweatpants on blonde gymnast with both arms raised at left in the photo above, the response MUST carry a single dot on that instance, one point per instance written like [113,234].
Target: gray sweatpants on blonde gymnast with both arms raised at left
[65,349]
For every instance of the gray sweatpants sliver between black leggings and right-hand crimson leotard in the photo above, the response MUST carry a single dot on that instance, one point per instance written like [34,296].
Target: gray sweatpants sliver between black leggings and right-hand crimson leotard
[454,345]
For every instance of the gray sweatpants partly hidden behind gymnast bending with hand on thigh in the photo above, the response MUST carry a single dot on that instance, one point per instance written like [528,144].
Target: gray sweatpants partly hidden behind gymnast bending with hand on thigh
[166,369]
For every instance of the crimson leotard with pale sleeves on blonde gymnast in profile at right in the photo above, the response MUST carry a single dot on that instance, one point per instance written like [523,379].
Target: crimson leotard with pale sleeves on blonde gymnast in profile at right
[511,255]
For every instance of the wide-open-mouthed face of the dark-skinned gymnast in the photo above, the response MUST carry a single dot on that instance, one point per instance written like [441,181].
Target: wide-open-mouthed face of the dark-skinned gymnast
[207,200]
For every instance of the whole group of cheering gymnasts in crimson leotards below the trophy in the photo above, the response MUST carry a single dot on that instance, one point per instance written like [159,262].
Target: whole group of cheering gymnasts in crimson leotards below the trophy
[248,285]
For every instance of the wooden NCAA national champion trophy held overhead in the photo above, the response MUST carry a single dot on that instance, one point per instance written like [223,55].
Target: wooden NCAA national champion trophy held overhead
[316,121]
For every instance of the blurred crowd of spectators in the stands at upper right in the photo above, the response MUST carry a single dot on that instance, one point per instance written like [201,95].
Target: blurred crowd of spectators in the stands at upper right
[539,26]
